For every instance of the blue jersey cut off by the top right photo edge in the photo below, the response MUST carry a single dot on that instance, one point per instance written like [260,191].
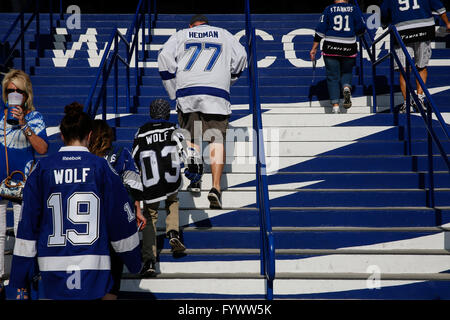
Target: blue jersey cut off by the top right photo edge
[413,18]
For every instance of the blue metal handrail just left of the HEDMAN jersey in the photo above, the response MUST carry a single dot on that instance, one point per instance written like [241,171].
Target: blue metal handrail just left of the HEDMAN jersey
[111,58]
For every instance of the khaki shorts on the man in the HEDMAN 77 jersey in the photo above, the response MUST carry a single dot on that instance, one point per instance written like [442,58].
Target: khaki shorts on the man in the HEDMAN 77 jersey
[203,126]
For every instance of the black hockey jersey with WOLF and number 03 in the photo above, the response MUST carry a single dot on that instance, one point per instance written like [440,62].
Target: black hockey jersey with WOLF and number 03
[156,156]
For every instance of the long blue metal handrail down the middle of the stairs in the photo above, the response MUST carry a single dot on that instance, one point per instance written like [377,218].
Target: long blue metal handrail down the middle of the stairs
[262,190]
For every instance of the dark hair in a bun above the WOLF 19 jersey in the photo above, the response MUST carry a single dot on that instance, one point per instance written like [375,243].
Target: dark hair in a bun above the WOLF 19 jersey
[76,124]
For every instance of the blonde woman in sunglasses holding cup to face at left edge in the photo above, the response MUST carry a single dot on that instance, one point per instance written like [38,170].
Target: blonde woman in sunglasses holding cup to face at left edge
[23,140]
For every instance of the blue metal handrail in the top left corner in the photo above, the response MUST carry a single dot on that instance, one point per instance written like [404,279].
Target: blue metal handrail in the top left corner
[35,16]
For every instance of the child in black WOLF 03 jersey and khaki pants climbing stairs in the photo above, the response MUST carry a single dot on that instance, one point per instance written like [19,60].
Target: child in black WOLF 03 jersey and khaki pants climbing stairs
[156,151]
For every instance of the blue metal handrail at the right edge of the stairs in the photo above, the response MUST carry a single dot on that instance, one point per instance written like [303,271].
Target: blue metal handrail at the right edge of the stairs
[427,114]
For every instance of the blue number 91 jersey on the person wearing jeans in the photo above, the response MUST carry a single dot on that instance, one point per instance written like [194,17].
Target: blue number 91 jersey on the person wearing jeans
[339,25]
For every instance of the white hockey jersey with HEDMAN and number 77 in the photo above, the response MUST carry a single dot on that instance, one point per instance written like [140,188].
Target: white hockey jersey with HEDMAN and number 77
[198,65]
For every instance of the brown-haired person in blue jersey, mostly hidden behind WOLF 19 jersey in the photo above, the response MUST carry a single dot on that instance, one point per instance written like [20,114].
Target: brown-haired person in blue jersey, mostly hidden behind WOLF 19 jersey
[120,159]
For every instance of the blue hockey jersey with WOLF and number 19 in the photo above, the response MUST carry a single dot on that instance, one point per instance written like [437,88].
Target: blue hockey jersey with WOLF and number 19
[74,206]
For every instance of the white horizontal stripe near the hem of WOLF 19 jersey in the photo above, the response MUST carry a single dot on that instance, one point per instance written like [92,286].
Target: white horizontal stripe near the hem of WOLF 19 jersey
[83,262]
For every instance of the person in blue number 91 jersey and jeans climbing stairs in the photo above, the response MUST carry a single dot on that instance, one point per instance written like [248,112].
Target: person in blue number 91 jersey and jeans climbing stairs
[339,26]
